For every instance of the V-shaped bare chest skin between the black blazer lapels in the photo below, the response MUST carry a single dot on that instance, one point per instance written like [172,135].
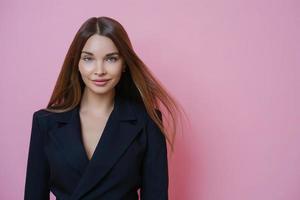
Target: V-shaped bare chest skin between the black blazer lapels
[91,129]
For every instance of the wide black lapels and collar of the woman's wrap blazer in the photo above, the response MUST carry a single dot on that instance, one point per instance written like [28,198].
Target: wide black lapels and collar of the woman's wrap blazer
[123,125]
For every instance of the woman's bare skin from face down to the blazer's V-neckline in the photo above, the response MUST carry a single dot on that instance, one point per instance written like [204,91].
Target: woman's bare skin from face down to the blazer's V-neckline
[97,62]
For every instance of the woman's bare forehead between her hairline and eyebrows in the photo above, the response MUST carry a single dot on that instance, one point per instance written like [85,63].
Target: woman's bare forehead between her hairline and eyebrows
[99,45]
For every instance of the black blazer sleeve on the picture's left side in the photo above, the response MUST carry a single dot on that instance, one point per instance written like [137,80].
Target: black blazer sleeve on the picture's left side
[37,172]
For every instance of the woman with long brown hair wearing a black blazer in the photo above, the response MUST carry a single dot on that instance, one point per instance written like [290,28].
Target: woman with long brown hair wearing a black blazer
[101,135]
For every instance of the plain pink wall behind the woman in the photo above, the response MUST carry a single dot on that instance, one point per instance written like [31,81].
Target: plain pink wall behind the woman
[232,64]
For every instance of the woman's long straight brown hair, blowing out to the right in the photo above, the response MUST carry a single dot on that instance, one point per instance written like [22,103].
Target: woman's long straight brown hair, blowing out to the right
[137,83]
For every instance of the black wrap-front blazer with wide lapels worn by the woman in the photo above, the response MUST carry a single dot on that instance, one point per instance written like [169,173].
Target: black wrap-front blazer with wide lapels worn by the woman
[130,154]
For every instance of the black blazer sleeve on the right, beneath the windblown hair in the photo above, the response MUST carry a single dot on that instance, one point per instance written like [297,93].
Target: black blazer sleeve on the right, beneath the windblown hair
[155,178]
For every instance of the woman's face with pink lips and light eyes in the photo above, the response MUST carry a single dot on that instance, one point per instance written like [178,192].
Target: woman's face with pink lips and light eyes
[100,60]
